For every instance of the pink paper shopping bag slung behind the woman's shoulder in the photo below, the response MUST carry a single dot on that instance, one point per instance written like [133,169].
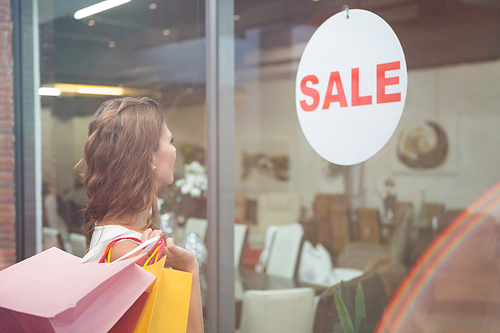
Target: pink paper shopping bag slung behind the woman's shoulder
[53,292]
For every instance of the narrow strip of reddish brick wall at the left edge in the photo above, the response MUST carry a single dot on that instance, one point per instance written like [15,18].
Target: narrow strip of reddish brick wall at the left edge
[7,190]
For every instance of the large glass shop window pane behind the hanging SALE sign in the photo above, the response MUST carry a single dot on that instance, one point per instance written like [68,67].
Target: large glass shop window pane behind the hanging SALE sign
[370,223]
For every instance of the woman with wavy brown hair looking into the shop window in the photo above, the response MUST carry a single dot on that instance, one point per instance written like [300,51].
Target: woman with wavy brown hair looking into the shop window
[127,157]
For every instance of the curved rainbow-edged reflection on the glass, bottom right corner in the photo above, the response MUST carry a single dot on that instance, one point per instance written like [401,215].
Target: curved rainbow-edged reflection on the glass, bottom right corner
[454,284]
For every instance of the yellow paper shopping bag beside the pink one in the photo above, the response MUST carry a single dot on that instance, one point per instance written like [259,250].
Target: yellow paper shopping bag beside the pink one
[167,307]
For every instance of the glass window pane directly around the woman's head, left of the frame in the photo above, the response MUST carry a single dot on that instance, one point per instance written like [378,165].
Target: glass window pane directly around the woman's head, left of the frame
[140,48]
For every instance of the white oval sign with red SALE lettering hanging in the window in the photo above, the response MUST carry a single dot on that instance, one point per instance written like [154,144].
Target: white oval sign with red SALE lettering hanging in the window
[351,87]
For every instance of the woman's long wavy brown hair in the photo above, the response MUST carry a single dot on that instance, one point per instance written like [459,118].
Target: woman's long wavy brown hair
[116,168]
